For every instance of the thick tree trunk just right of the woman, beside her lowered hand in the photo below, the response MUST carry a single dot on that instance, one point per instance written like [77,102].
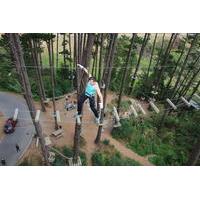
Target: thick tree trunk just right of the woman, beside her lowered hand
[107,77]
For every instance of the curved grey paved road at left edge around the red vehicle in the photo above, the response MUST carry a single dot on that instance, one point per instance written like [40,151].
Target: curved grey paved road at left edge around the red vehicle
[24,131]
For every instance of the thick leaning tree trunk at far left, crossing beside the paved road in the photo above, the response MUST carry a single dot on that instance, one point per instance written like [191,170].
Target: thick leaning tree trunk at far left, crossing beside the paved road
[17,54]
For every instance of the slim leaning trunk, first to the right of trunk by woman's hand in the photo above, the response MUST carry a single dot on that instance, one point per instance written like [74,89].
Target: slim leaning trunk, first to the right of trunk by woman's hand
[125,72]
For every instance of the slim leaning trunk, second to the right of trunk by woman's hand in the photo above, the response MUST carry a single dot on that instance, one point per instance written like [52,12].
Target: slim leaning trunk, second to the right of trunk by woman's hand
[144,42]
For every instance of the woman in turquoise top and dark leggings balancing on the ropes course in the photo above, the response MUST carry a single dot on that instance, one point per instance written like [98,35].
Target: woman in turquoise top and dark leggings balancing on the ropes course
[91,89]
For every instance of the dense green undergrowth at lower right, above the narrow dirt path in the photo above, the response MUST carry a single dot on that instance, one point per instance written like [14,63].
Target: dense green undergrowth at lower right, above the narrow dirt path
[172,147]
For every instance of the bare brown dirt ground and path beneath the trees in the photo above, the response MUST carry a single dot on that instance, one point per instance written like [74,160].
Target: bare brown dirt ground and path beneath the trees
[89,130]
